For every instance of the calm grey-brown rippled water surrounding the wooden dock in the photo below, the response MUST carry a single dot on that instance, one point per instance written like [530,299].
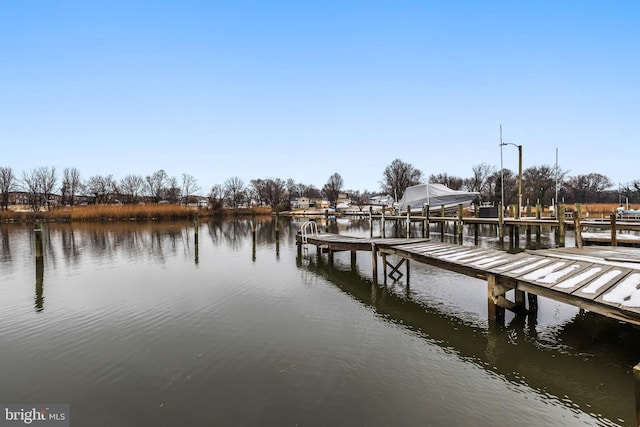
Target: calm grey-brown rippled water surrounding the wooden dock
[136,325]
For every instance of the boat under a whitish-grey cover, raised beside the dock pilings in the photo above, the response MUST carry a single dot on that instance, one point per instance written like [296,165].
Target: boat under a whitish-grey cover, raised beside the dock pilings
[436,196]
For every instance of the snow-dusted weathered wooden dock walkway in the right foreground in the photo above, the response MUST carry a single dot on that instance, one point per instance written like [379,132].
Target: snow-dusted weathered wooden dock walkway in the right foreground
[603,280]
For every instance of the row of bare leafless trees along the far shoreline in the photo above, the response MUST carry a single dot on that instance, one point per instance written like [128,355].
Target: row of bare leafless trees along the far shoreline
[539,185]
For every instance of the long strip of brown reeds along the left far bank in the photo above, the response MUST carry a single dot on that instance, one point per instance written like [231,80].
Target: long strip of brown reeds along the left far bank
[146,212]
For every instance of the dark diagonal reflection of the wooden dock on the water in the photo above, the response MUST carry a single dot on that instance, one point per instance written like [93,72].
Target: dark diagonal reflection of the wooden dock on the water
[584,363]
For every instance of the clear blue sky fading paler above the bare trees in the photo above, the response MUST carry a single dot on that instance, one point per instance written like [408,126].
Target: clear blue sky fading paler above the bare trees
[303,89]
